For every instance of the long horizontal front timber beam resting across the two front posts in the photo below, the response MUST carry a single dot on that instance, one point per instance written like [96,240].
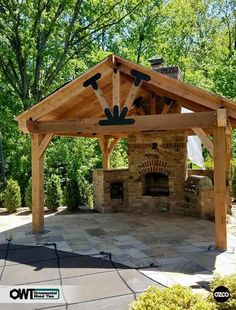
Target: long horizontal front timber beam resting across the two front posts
[141,123]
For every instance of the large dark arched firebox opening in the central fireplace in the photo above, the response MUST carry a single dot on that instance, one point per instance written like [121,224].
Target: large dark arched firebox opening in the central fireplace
[156,184]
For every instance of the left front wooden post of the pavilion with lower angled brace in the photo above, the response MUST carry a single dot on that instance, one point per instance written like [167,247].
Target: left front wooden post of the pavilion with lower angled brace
[39,145]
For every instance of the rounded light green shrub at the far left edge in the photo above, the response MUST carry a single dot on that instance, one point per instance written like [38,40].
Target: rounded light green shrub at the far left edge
[12,196]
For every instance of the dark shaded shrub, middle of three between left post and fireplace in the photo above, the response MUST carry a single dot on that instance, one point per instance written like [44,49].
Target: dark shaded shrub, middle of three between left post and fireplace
[71,196]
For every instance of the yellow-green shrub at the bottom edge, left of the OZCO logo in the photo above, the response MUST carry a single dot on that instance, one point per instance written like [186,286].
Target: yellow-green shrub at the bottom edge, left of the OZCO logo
[176,297]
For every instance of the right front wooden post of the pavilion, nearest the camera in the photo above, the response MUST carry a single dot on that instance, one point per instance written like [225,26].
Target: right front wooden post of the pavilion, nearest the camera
[220,197]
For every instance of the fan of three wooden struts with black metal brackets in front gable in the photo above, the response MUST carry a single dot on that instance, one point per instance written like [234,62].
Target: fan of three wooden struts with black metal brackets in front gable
[117,116]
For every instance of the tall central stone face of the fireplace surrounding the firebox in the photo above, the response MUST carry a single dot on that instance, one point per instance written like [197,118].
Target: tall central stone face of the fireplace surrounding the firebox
[157,152]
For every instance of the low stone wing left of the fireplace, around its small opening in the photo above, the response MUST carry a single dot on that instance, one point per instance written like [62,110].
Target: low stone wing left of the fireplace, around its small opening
[102,180]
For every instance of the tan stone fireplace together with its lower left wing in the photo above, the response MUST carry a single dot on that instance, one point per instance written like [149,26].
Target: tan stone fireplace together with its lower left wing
[155,179]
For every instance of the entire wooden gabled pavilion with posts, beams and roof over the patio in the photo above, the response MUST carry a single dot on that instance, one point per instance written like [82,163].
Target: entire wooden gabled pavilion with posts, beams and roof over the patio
[104,103]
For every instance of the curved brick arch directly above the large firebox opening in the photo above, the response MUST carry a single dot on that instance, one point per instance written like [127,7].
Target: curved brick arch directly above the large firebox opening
[153,165]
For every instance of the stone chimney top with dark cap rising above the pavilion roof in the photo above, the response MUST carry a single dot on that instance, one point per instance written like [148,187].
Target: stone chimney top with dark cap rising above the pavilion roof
[157,64]
